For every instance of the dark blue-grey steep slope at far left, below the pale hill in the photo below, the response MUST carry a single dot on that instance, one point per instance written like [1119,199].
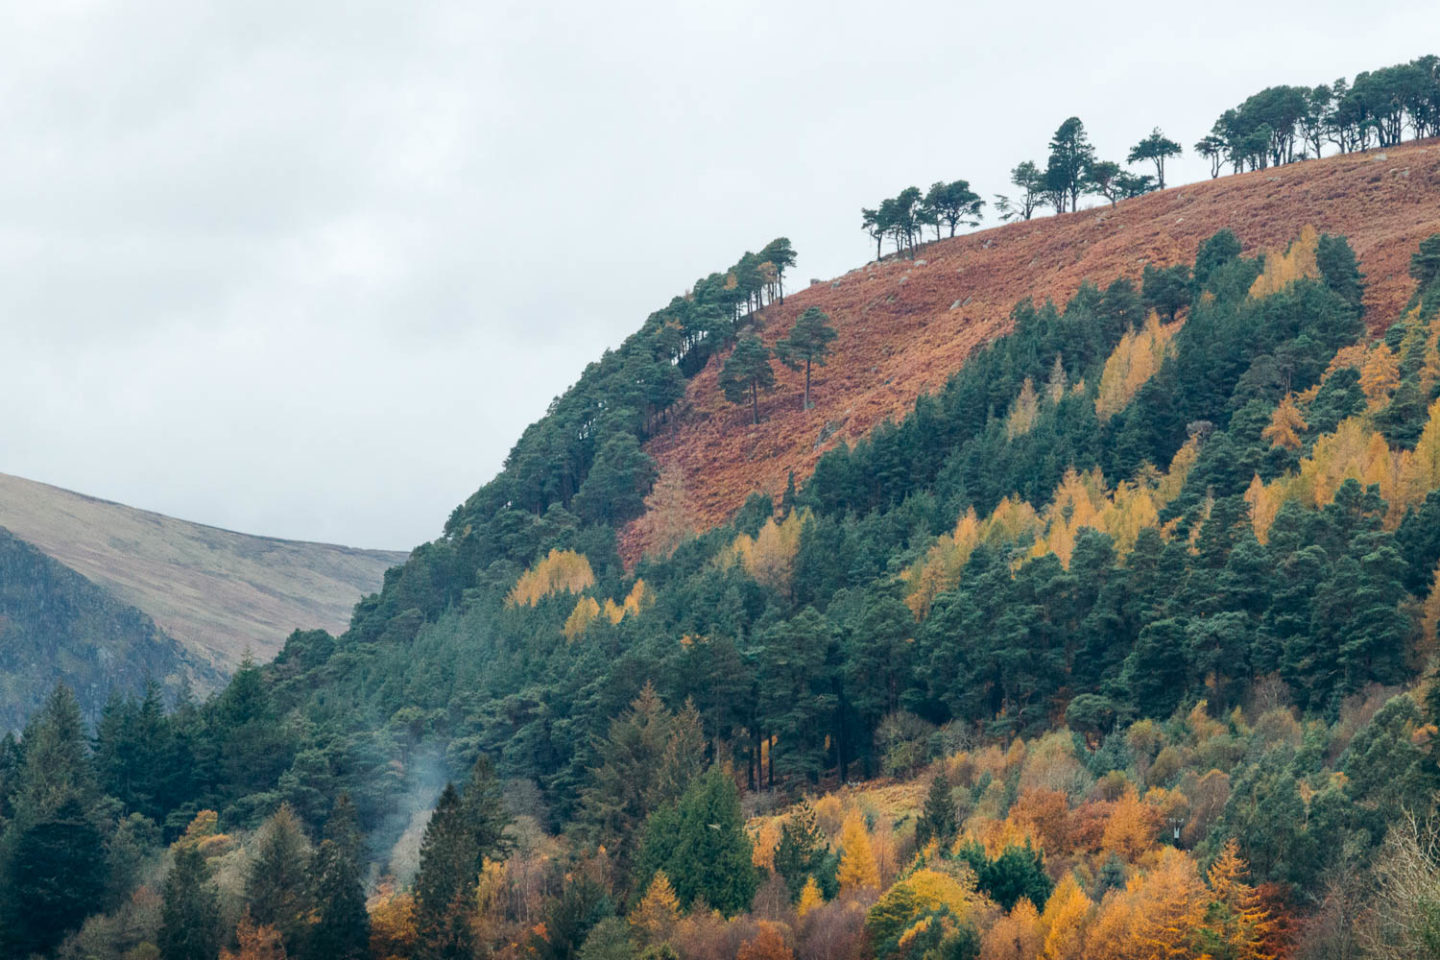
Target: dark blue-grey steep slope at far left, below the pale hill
[58,627]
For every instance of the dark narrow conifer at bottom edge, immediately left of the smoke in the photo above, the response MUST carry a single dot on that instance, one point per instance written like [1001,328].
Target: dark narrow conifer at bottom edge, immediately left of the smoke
[342,929]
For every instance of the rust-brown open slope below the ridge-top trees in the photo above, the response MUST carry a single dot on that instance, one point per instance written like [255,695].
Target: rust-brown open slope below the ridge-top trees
[905,327]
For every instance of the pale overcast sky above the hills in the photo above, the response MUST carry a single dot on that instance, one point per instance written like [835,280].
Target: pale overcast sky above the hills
[310,270]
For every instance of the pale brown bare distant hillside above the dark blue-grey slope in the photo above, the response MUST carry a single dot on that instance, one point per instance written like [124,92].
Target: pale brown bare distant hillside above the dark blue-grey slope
[220,594]
